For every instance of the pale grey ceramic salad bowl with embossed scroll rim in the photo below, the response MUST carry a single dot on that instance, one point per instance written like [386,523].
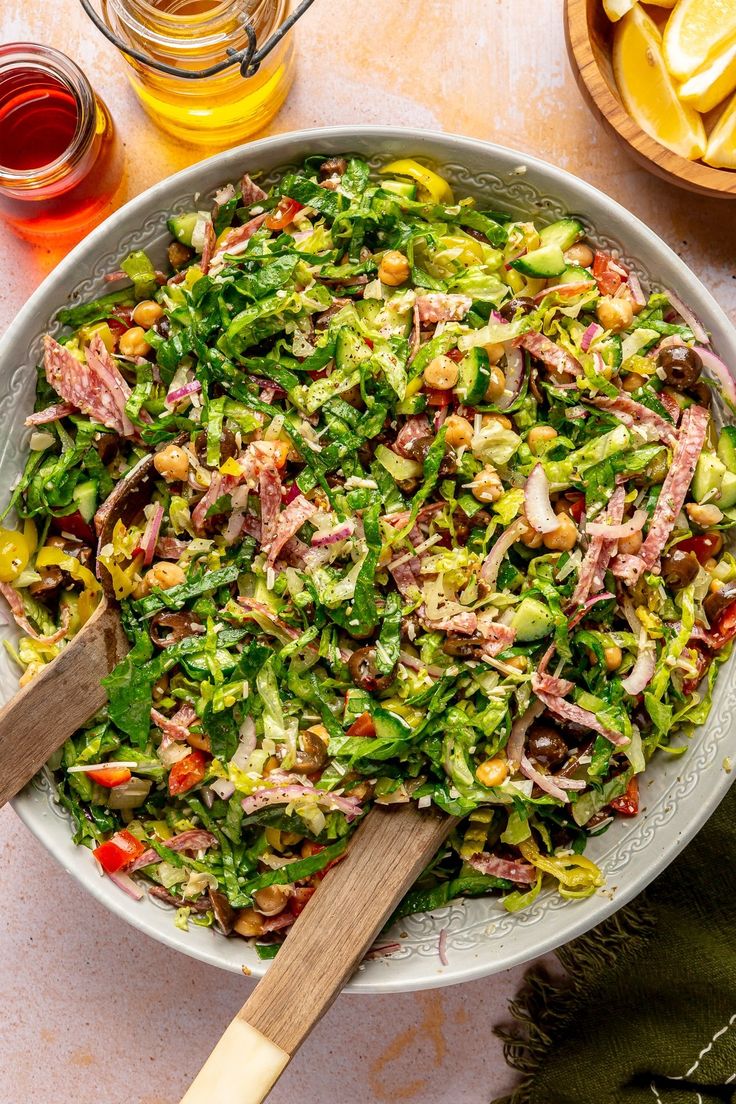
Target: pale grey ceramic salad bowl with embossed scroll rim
[678,794]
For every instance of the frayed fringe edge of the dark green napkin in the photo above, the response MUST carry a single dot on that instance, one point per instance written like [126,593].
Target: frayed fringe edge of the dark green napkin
[547,1003]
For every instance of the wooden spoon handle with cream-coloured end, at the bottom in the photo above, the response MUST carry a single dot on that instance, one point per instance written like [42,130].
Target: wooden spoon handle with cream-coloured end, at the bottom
[323,950]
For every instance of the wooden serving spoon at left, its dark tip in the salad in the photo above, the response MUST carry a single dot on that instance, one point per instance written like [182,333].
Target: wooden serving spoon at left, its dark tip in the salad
[38,720]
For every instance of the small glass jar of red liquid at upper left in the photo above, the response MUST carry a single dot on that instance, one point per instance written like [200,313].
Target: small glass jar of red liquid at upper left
[60,160]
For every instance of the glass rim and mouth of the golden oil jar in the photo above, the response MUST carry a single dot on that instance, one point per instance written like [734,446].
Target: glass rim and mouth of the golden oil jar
[162,30]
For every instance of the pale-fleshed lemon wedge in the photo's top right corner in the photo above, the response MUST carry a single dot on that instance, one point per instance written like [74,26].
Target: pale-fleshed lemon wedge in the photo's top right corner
[696,31]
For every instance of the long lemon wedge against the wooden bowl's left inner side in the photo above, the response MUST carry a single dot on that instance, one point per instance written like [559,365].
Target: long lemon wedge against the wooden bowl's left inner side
[648,91]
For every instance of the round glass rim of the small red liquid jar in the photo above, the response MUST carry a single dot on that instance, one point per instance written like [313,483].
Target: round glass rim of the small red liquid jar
[51,62]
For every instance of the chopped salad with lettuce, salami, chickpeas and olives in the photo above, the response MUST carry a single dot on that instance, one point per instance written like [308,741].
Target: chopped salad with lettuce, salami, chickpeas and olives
[441,516]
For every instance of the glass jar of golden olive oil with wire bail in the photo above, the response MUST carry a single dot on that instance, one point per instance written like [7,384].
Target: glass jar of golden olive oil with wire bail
[216,111]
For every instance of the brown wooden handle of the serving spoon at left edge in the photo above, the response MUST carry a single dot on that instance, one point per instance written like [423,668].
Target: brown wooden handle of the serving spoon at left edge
[59,700]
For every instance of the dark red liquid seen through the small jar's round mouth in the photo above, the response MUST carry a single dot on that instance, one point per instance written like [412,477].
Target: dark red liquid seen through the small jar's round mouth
[39,118]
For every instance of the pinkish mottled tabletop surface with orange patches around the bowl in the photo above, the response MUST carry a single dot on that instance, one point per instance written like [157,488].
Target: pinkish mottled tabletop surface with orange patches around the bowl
[95,1013]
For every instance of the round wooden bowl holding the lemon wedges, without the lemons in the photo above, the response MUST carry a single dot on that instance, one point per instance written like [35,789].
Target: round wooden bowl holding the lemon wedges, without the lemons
[589,34]
